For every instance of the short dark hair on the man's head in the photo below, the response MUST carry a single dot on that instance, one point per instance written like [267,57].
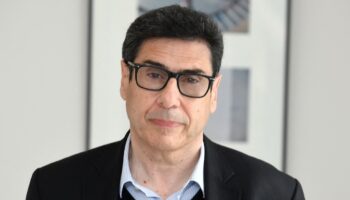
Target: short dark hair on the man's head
[174,22]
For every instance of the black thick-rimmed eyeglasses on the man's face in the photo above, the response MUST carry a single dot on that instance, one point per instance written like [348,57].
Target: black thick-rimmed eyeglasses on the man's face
[155,78]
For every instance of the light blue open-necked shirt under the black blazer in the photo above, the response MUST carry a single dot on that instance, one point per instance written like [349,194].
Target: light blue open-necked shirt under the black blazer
[139,192]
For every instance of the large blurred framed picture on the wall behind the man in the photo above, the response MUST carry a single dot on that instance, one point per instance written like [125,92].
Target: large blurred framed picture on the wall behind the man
[250,113]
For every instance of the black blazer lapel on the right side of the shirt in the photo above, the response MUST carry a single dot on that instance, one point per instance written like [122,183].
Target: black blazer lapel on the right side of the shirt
[220,181]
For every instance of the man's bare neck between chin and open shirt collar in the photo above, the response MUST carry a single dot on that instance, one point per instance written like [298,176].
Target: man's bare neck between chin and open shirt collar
[163,171]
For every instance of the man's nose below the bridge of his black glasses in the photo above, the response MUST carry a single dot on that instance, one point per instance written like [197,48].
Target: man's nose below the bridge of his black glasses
[170,96]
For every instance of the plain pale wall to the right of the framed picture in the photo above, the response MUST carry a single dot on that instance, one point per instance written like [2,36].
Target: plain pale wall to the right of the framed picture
[319,99]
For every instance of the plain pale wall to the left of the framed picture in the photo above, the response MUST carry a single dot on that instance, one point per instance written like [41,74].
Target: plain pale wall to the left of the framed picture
[42,87]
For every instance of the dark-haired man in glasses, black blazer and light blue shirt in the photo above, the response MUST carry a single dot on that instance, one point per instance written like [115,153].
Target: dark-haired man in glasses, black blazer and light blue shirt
[170,79]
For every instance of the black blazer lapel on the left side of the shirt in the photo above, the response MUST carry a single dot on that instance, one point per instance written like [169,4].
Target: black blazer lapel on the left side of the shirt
[104,178]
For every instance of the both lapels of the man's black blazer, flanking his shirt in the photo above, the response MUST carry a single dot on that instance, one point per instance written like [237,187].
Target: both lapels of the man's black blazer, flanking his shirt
[103,180]
